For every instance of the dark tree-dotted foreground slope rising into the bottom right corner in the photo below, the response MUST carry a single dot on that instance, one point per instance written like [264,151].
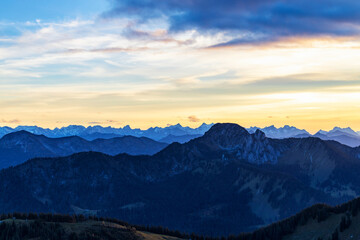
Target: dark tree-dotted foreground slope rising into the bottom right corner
[318,222]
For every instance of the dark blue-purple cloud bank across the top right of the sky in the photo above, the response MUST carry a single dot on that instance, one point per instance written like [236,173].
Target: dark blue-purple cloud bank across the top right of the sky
[249,20]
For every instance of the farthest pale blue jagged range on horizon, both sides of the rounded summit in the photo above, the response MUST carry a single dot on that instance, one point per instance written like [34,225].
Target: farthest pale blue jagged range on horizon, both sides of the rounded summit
[178,133]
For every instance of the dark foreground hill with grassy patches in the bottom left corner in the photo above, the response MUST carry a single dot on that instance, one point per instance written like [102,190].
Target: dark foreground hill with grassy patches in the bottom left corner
[62,227]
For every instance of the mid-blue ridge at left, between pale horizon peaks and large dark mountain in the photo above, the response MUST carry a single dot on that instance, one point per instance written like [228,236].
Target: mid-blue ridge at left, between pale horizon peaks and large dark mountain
[17,147]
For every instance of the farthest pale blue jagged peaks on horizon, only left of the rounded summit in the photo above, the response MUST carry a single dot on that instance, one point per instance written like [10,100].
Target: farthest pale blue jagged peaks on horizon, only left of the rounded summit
[93,132]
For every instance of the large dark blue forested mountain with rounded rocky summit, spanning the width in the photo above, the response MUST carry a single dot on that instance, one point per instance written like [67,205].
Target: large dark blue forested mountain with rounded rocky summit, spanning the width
[226,181]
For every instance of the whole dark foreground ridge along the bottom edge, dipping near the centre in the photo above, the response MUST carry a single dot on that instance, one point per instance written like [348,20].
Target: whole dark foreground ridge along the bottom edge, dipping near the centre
[317,222]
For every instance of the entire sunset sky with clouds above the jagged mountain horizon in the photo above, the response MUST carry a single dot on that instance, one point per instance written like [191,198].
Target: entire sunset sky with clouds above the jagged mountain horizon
[157,62]
